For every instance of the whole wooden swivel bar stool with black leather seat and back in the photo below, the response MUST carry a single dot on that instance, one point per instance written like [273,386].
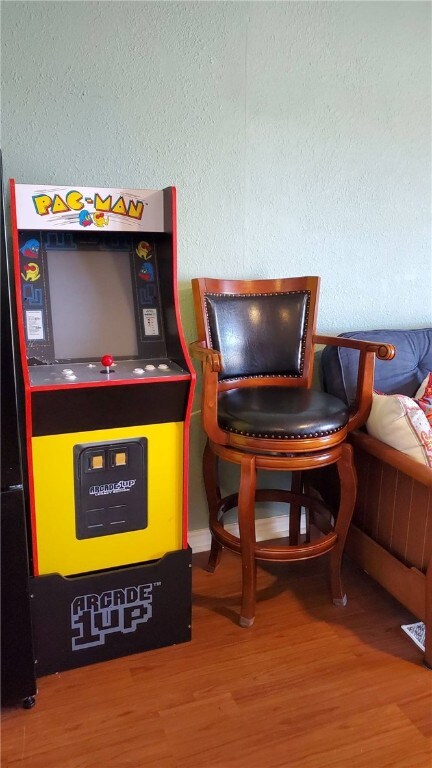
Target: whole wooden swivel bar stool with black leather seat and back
[256,344]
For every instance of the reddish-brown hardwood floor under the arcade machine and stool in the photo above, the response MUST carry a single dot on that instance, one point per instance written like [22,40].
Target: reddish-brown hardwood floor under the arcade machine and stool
[310,685]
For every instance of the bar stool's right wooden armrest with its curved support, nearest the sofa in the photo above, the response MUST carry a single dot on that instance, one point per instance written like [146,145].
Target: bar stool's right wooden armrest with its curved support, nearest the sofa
[368,350]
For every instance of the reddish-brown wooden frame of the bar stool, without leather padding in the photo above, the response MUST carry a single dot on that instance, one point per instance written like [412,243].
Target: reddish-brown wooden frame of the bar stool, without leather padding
[252,453]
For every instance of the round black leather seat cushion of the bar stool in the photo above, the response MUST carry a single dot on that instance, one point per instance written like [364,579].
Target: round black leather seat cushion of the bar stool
[281,412]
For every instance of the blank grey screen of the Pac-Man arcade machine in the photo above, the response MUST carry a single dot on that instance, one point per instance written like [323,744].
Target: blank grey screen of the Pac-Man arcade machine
[92,303]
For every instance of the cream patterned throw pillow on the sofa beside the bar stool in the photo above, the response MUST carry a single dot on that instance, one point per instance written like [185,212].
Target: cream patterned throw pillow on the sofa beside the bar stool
[401,422]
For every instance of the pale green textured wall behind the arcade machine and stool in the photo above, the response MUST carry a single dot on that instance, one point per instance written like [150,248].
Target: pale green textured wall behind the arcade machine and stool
[298,135]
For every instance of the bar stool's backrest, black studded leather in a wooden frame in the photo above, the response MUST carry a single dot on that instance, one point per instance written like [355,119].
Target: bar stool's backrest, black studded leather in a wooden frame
[263,329]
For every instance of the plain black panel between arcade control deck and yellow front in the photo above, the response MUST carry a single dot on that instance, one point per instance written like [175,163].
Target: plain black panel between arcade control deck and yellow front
[58,412]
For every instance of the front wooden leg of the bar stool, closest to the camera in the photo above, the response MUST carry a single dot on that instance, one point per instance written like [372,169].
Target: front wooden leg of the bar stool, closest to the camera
[246,520]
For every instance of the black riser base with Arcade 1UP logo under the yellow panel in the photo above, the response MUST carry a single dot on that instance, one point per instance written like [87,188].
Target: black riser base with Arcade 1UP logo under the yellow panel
[100,616]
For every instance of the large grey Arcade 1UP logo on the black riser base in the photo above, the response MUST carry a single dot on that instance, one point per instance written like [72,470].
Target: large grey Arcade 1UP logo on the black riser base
[117,611]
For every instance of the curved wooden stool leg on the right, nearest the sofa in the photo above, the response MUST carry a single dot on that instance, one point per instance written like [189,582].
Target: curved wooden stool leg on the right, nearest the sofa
[348,491]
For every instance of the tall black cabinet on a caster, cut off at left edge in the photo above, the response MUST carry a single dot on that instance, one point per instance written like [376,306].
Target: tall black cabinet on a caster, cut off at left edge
[18,682]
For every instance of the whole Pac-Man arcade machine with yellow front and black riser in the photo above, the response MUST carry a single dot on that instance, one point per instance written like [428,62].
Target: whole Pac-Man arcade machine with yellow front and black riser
[108,387]
